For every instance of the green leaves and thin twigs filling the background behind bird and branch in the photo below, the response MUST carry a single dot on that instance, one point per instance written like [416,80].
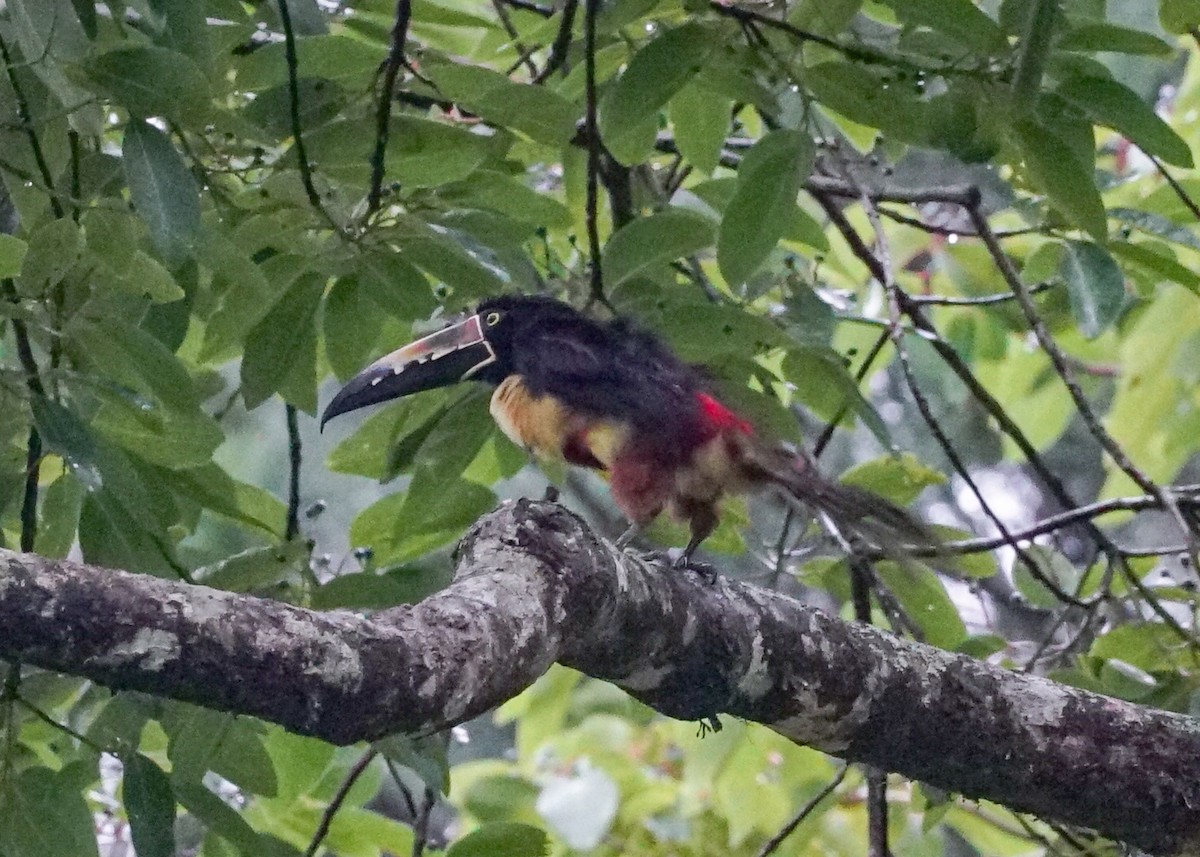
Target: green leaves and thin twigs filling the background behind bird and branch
[215,209]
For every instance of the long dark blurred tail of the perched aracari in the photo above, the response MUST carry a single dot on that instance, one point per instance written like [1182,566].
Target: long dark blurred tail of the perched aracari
[856,514]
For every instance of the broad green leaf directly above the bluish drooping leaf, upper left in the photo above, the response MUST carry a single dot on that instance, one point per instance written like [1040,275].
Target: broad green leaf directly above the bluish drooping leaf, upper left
[153,82]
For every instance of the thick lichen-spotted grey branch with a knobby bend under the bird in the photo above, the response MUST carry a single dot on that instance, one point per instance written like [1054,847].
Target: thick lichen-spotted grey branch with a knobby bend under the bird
[535,586]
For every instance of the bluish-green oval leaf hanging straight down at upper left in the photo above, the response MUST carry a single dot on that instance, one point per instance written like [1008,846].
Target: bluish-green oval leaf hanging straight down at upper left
[163,189]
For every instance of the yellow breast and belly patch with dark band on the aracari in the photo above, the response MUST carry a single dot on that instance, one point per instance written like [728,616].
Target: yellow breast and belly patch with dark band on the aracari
[551,430]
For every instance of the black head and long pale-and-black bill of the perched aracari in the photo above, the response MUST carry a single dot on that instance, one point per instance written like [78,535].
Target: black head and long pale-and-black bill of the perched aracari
[482,346]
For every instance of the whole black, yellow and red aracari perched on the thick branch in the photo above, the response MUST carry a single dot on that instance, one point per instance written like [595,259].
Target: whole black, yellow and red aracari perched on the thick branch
[611,397]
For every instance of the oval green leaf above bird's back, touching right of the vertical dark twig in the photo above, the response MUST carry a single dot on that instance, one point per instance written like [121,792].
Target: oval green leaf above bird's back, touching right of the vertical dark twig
[655,241]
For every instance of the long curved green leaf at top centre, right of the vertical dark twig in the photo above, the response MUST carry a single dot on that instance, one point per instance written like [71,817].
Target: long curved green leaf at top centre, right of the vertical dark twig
[655,75]
